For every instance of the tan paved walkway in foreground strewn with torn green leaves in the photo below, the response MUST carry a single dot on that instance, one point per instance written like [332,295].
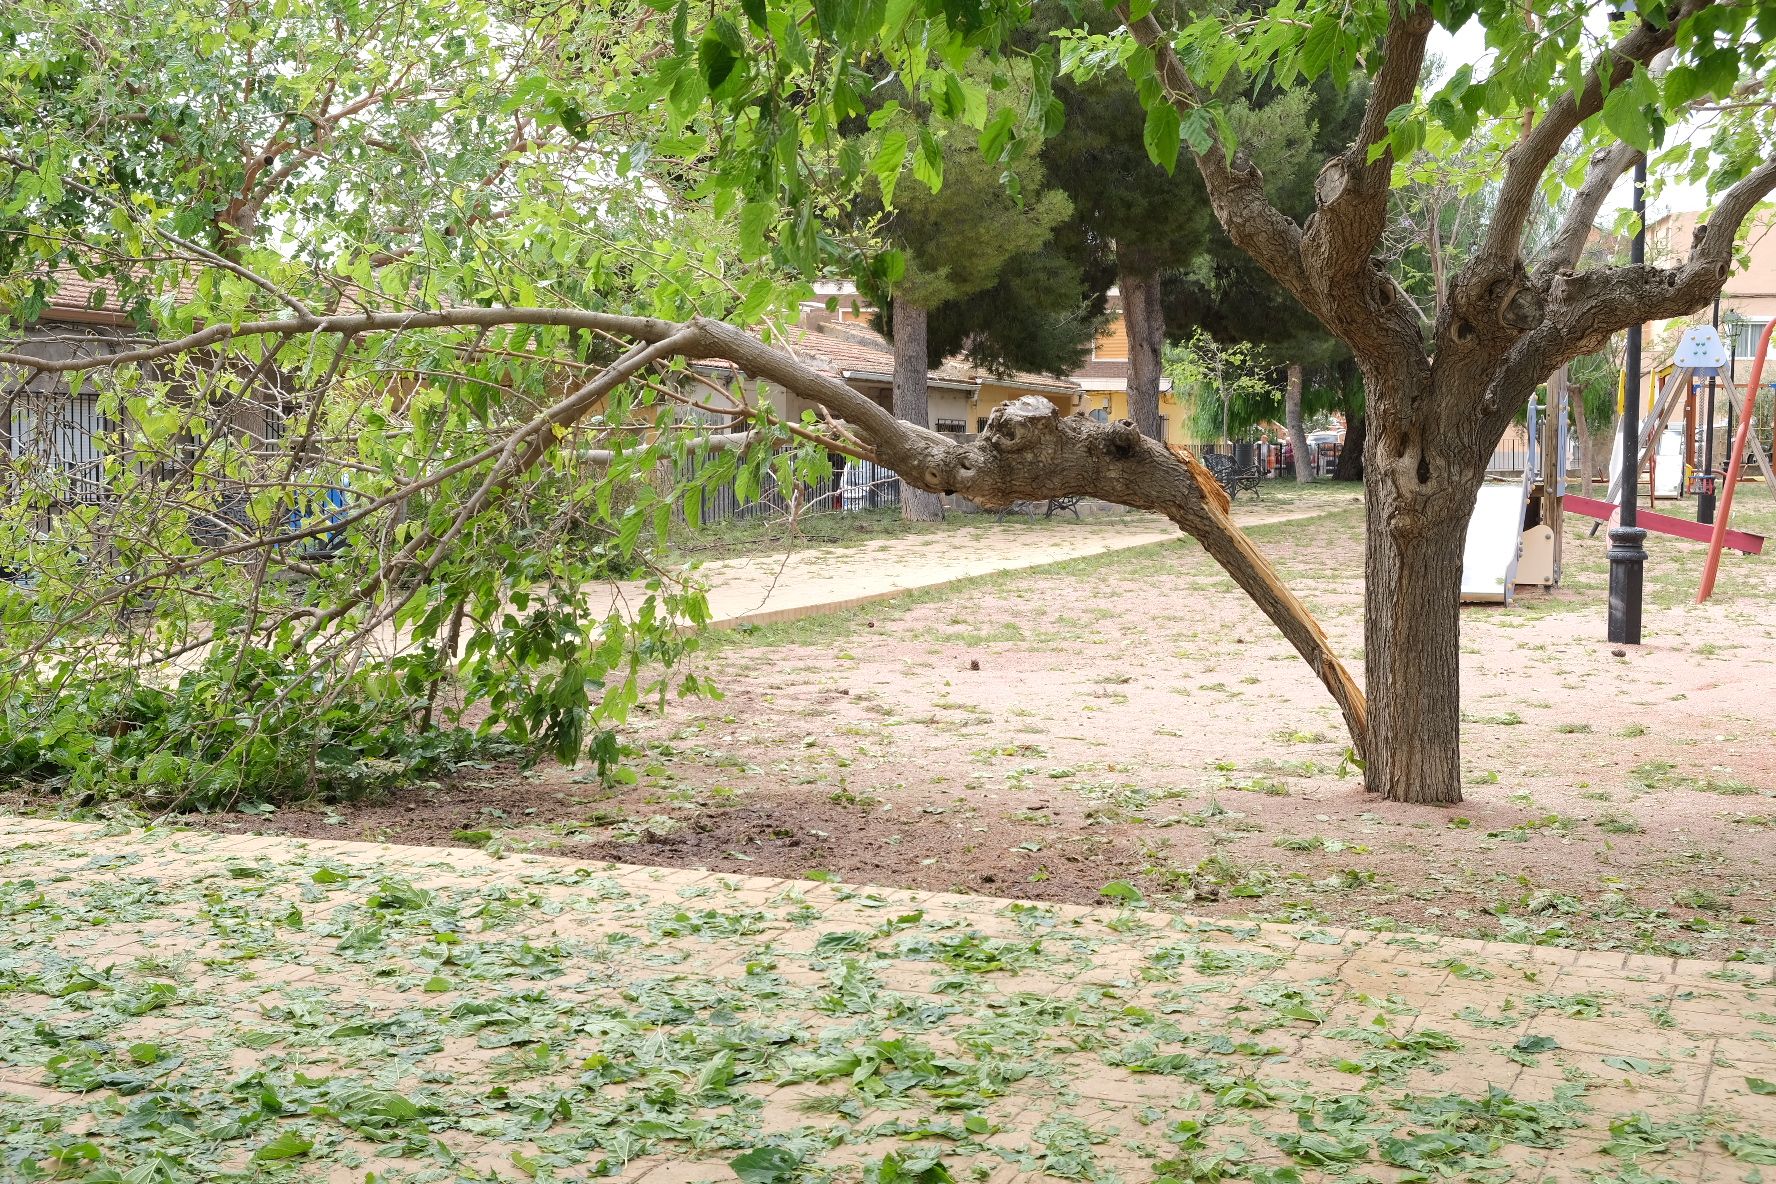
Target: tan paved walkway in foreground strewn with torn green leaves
[191,1006]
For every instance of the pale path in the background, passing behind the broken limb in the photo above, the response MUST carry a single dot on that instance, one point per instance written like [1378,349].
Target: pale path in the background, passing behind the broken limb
[782,588]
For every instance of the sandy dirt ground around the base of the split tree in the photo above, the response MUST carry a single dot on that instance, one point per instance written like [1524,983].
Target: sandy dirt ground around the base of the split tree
[1132,722]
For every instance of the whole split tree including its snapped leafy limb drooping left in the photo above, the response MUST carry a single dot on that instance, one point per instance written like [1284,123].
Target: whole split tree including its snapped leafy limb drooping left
[599,304]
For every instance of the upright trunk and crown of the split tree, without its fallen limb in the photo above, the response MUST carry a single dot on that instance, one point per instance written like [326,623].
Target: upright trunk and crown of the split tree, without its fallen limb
[1439,399]
